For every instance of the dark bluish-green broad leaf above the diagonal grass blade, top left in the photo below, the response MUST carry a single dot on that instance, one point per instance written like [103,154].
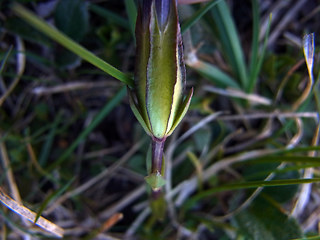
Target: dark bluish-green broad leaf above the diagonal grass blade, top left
[72,18]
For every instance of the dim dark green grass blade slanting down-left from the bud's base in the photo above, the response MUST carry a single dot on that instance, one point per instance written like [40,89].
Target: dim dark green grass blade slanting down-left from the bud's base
[98,118]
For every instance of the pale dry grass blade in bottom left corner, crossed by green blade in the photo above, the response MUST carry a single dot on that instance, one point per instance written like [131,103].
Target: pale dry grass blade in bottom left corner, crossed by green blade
[31,216]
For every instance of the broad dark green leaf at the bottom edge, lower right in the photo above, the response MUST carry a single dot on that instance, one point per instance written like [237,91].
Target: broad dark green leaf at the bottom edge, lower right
[264,220]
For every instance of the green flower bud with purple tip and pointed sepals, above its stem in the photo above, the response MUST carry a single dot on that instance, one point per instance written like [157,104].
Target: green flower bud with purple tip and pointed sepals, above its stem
[157,98]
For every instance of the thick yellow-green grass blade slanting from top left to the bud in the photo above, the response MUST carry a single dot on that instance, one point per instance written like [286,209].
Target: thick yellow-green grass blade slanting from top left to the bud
[68,43]
